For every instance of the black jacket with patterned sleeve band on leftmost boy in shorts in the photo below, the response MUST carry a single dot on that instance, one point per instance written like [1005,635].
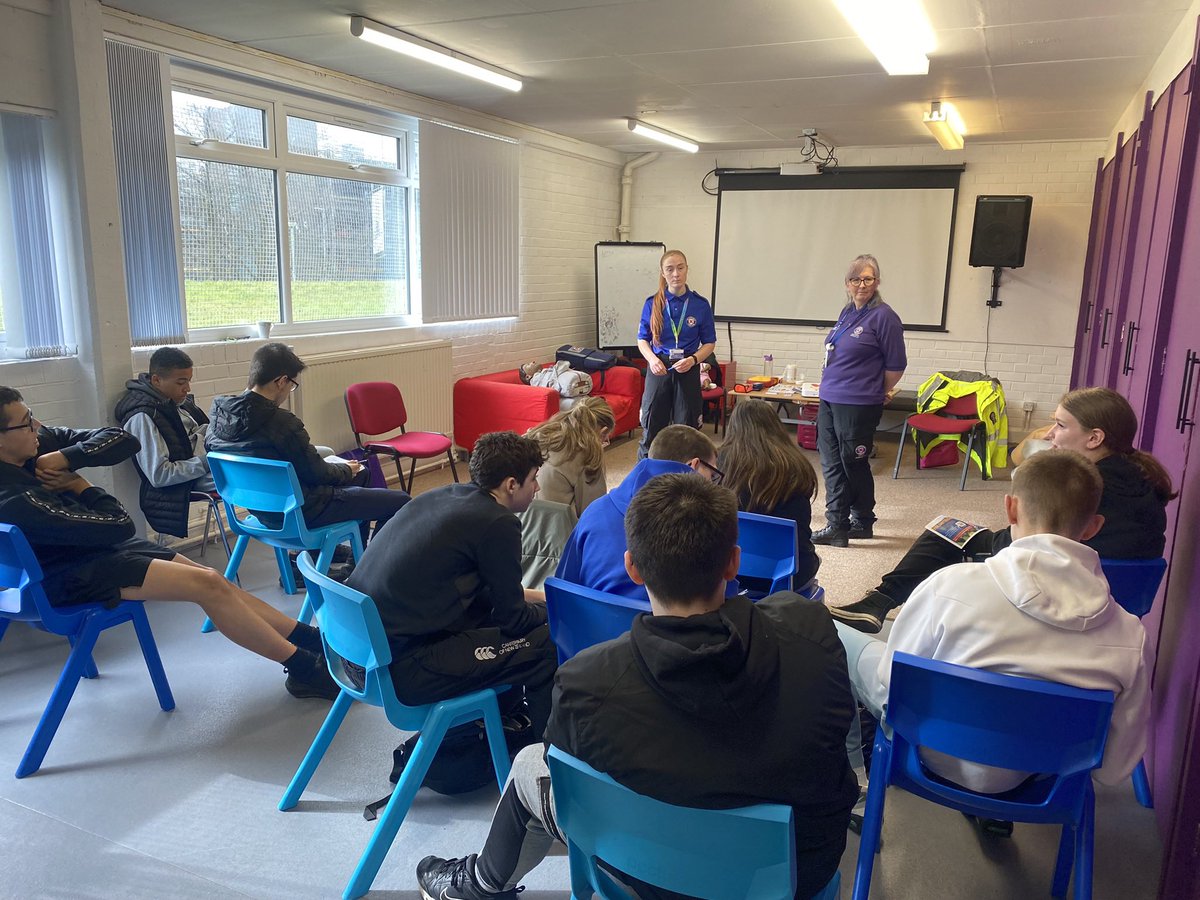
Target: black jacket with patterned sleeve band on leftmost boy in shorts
[58,526]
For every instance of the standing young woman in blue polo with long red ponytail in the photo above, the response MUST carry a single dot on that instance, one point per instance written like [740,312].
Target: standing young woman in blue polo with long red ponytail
[676,334]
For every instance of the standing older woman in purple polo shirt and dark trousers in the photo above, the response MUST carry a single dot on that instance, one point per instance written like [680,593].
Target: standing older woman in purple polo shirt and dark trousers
[865,361]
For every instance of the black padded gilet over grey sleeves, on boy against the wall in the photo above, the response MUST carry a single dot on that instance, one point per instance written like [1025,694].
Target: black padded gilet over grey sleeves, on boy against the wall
[166,508]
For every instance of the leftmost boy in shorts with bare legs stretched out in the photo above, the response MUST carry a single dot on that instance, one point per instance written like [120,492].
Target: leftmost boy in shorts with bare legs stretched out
[85,542]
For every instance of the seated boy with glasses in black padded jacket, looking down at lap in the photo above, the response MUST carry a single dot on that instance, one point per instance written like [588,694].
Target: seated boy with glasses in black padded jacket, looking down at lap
[255,424]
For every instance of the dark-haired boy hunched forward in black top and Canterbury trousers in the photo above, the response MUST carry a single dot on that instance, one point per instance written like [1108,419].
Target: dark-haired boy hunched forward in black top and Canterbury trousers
[446,574]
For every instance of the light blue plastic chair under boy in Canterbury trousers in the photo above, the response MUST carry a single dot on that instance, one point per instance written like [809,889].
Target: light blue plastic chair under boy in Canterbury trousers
[352,632]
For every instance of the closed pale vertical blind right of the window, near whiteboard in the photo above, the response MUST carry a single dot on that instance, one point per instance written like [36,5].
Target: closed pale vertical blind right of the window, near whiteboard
[471,220]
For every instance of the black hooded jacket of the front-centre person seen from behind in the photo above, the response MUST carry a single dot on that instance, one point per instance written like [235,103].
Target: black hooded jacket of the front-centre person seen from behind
[746,705]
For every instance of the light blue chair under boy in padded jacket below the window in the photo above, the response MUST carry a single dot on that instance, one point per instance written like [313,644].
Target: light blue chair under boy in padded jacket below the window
[272,487]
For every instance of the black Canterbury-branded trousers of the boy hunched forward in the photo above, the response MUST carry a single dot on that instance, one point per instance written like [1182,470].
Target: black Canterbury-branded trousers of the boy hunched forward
[448,665]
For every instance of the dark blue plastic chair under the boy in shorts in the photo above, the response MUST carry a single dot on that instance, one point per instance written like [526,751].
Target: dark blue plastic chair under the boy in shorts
[25,601]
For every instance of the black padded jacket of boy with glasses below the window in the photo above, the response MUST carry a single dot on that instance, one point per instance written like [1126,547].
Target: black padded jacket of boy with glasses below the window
[251,425]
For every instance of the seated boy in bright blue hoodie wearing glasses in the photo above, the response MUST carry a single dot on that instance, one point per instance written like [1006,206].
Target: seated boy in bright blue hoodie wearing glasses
[596,553]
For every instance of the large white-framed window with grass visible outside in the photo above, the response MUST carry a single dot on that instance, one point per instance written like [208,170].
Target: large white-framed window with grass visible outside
[290,213]
